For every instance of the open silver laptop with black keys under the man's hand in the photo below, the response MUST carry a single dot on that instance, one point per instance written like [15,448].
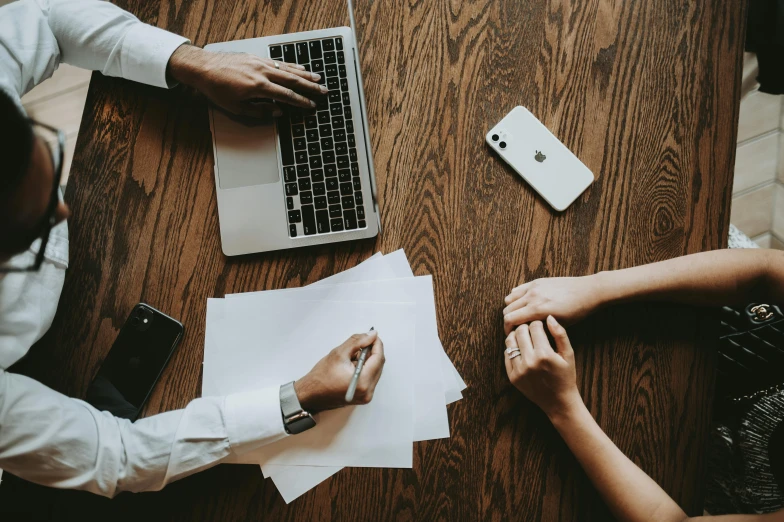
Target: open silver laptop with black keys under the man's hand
[306,178]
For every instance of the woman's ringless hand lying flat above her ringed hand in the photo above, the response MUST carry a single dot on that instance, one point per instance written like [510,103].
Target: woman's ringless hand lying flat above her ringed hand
[568,298]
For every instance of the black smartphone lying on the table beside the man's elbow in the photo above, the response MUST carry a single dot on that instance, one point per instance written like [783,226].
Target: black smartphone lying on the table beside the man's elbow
[135,362]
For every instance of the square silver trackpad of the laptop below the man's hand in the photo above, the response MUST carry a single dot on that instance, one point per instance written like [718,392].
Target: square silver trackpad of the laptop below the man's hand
[245,151]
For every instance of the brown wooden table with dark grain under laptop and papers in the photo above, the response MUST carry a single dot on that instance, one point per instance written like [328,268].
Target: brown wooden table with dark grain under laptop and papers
[645,93]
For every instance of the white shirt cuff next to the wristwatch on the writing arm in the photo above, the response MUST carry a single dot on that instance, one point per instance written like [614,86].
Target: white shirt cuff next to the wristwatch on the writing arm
[253,419]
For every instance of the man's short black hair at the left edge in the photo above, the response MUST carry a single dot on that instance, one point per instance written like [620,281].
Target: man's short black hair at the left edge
[16,146]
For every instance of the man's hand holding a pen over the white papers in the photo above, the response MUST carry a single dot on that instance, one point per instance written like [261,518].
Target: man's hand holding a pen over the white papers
[324,387]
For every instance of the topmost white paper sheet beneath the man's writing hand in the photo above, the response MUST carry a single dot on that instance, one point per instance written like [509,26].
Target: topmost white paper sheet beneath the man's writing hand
[265,341]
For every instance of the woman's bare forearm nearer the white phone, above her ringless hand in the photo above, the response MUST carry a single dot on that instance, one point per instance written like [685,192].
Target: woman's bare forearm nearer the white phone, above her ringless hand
[719,277]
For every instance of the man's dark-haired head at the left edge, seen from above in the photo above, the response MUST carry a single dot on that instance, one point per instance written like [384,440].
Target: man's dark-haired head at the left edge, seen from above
[27,176]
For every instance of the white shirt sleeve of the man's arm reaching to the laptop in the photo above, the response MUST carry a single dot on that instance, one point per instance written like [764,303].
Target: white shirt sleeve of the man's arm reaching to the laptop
[36,35]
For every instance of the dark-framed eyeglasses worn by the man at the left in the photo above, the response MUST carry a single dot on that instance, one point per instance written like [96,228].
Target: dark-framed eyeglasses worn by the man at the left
[55,142]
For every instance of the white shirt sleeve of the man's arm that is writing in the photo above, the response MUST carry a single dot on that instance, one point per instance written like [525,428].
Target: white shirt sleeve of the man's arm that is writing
[51,439]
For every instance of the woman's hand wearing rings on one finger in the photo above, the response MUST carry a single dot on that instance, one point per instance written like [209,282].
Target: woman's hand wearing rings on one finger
[546,376]
